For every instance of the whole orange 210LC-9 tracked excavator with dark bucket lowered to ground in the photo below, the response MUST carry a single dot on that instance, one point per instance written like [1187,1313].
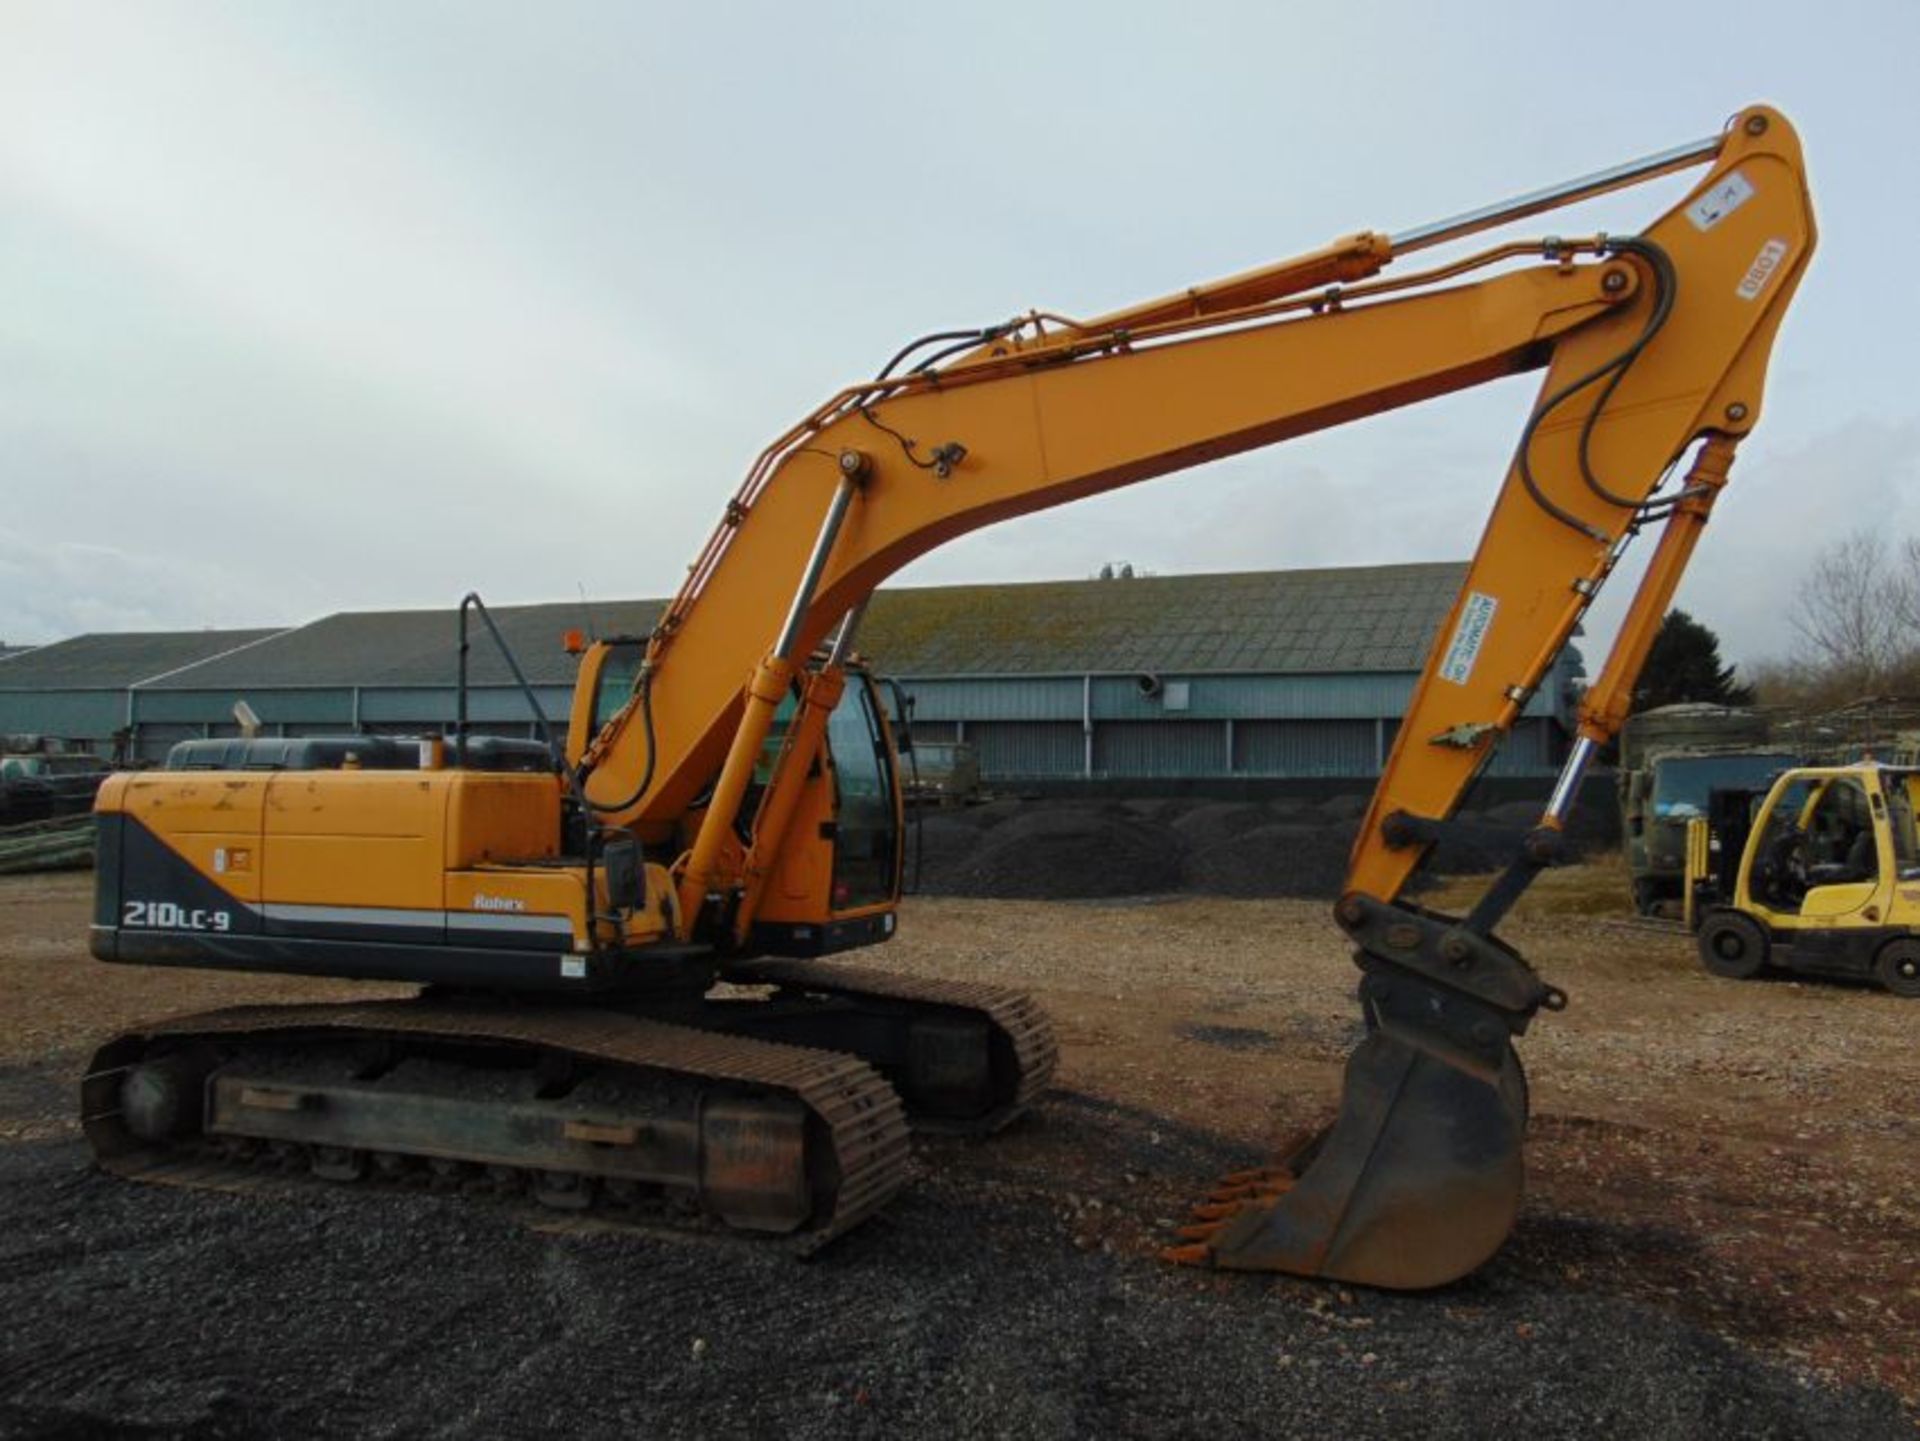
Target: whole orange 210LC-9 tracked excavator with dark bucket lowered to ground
[621,937]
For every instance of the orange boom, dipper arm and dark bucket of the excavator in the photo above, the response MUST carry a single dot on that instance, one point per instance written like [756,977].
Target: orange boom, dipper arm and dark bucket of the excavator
[1650,344]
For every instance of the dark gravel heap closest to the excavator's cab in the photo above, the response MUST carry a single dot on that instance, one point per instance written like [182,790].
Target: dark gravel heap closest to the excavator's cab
[1068,853]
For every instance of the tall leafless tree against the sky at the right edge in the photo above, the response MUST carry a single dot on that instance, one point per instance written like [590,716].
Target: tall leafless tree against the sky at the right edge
[1856,615]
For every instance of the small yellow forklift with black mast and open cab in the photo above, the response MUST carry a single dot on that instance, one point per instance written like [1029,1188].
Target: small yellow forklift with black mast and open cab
[1815,876]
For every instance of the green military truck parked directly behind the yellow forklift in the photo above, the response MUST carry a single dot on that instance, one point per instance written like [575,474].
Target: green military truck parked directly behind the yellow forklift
[1673,759]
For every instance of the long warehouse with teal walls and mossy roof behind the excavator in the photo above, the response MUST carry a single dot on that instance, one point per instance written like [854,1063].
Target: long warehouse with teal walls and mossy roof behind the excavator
[1268,676]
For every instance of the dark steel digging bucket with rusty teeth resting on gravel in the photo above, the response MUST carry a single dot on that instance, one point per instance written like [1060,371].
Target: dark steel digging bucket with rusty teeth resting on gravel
[1414,1185]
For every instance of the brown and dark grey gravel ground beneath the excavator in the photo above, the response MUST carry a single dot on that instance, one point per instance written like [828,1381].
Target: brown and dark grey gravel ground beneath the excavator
[1717,1240]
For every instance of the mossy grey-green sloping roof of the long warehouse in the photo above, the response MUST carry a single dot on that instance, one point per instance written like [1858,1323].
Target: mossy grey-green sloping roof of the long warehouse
[1374,619]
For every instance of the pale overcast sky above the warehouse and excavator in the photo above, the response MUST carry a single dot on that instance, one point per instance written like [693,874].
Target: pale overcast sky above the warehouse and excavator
[343,306]
